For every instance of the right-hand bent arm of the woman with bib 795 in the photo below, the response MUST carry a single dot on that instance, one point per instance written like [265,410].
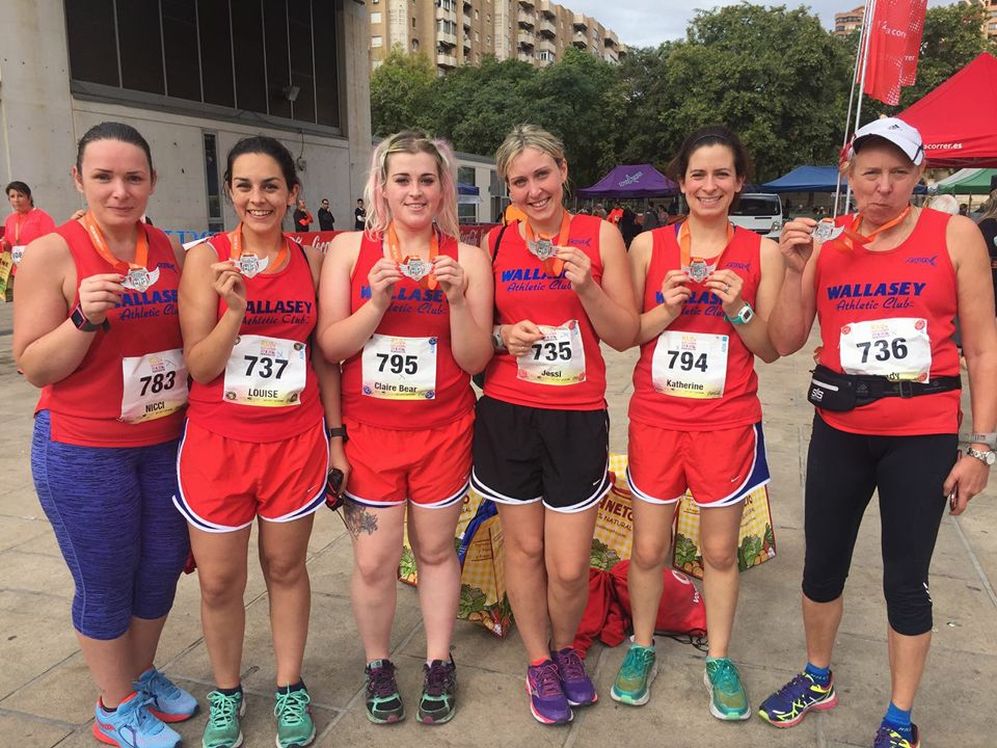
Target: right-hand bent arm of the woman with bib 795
[471,311]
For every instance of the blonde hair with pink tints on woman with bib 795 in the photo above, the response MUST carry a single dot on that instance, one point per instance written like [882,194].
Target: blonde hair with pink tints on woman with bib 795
[412,142]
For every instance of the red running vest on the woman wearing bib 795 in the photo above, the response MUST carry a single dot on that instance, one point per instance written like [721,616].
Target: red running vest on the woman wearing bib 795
[414,312]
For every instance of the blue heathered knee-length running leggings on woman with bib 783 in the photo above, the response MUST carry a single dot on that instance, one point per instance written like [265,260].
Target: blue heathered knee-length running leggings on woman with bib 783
[113,515]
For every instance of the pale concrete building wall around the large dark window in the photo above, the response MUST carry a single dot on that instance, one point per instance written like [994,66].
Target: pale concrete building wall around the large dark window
[42,121]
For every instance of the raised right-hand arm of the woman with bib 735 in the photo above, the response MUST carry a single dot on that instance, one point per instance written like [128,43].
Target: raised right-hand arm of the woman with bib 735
[610,306]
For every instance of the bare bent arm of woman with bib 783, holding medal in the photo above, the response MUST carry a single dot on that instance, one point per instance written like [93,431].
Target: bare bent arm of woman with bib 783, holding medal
[47,346]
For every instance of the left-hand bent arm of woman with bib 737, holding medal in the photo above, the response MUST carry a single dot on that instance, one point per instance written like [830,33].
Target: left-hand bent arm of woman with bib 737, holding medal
[208,339]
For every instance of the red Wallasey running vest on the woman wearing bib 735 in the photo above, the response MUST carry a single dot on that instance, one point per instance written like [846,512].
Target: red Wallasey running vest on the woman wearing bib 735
[524,291]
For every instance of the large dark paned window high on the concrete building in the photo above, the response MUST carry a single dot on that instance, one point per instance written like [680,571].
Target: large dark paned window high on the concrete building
[248,56]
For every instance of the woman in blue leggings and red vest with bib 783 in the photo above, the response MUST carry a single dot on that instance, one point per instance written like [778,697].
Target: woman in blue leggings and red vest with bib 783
[103,456]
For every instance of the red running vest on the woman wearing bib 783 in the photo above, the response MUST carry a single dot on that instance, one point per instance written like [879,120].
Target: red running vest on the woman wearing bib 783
[86,406]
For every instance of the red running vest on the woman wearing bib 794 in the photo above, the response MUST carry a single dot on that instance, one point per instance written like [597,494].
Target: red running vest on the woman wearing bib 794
[702,313]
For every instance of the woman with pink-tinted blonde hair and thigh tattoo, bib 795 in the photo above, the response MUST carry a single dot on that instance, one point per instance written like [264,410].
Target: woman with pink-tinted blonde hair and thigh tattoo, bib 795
[407,308]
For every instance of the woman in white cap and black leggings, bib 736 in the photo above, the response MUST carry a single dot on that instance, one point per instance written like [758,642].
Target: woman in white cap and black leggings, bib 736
[886,285]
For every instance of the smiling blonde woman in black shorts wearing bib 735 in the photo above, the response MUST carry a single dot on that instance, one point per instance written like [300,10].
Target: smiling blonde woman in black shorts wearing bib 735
[541,441]
